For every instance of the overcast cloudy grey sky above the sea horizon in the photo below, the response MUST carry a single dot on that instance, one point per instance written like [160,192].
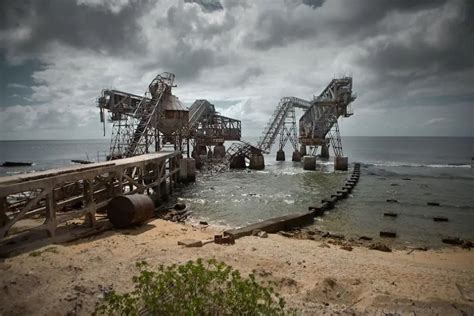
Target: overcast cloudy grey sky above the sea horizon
[412,62]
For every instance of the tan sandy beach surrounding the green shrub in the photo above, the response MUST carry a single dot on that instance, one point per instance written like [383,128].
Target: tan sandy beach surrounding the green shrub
[315,277]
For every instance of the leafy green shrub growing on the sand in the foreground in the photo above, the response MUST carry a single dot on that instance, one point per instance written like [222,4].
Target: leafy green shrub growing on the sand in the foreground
[194,288]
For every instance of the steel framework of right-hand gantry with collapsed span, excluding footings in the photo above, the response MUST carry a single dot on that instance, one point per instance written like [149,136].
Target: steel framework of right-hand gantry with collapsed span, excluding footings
[317,127]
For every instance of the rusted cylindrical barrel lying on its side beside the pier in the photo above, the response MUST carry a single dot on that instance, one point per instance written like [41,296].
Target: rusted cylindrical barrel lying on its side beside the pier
[127,210]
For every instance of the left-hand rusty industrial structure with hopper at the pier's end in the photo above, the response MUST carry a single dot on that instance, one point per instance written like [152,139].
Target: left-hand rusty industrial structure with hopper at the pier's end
[141,123]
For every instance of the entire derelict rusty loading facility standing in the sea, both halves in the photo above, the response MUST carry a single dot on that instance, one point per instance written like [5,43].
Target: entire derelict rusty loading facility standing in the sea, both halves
[139,122]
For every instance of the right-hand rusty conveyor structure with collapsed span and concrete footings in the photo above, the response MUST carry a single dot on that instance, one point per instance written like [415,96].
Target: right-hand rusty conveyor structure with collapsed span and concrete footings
[318,127]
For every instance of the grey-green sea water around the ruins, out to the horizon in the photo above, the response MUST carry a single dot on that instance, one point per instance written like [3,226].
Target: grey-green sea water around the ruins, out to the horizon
[412,170]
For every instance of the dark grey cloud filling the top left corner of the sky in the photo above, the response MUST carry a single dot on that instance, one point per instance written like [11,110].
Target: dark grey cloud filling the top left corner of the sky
[67,22]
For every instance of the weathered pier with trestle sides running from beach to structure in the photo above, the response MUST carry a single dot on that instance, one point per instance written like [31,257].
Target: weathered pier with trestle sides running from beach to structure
[77,192]
